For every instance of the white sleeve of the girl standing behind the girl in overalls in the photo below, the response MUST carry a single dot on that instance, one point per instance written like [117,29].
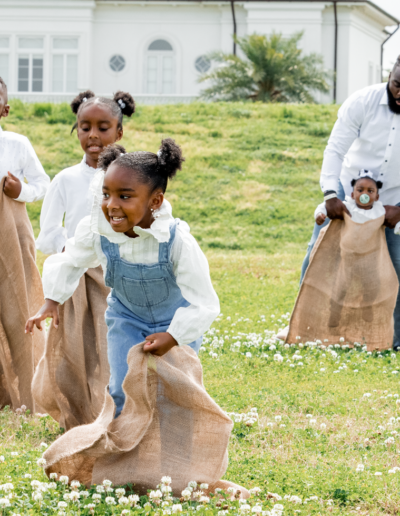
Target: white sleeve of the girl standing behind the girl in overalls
[53,235]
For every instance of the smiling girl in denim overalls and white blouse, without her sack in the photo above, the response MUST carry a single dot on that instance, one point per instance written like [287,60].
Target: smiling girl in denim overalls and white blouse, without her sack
[161,286]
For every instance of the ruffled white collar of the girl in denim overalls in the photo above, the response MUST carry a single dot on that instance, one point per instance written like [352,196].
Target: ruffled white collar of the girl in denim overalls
[99,225]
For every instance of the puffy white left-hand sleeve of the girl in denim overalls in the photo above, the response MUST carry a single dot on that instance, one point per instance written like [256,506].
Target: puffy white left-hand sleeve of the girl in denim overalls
[62,272]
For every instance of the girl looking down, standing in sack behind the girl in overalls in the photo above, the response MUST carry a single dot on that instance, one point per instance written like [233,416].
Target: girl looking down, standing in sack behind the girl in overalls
[79,346]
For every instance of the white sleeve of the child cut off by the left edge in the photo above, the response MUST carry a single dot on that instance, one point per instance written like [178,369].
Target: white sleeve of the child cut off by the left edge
[38,180]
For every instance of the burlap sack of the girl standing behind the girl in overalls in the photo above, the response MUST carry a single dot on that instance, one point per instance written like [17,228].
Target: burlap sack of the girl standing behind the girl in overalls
[72,375]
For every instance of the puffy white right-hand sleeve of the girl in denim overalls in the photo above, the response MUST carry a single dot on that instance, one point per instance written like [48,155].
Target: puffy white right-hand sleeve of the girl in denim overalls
[193,278]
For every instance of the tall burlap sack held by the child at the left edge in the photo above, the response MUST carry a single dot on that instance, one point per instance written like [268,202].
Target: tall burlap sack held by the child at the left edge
[21,295]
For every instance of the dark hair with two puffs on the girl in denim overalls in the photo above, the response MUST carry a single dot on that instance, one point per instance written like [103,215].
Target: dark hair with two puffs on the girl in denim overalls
[152,169]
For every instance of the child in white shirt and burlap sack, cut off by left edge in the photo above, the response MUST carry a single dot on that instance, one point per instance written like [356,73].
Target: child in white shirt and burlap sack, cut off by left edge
[21,286]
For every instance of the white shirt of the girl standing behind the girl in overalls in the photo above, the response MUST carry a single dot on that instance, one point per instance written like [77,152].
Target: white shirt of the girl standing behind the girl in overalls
[69,199]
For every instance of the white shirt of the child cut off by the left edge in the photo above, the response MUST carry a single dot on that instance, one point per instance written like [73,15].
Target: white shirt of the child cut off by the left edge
[19,157]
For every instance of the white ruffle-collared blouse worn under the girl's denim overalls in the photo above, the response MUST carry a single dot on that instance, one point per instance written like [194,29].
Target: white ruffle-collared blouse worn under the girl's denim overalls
[62,272]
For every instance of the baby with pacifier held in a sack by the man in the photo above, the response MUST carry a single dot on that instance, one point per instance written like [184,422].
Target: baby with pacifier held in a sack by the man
[364,204]
